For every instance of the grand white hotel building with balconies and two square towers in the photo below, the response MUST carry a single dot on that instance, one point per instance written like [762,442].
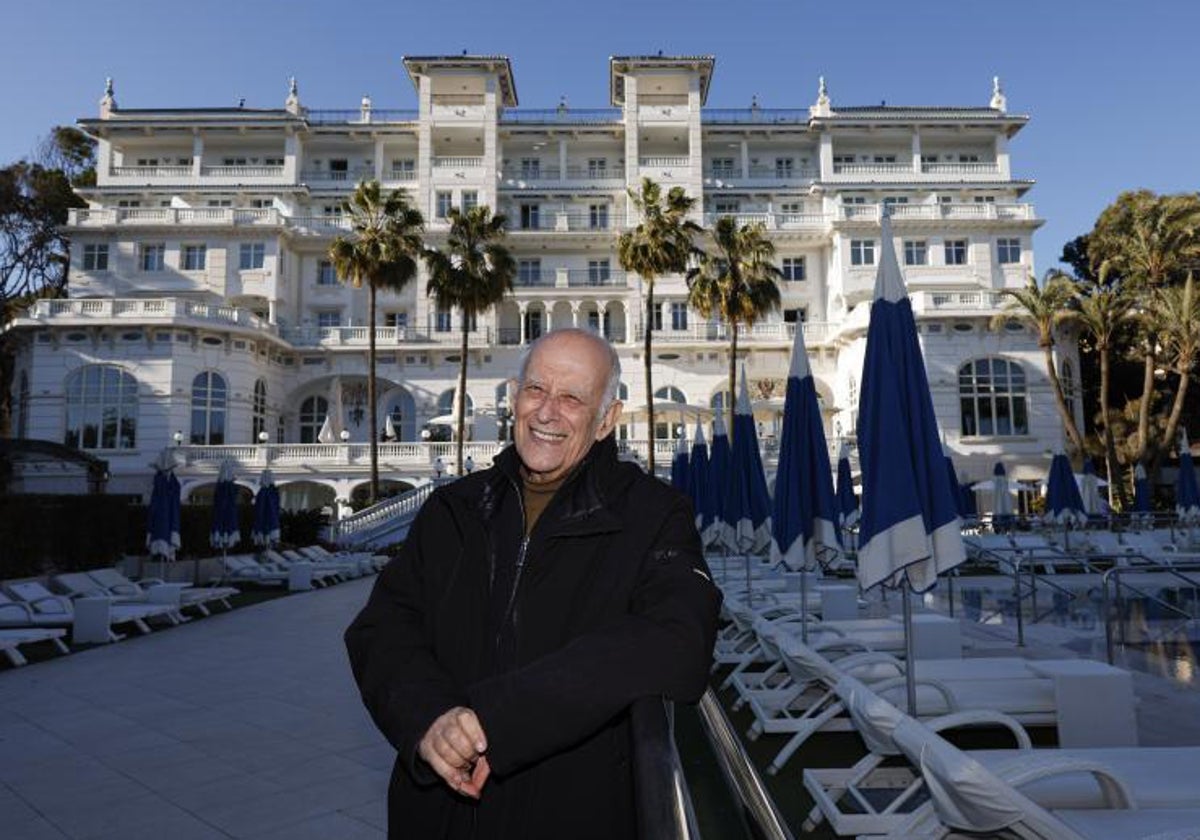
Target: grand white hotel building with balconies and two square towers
[203,308]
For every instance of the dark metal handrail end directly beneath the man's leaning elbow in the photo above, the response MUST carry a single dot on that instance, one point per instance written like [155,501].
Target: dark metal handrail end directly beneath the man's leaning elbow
[664,805]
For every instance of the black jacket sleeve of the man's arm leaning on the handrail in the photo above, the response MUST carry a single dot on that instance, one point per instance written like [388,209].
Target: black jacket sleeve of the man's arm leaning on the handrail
[663,646]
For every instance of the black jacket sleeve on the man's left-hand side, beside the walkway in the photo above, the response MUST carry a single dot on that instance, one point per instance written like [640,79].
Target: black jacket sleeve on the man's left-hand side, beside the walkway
[392,656]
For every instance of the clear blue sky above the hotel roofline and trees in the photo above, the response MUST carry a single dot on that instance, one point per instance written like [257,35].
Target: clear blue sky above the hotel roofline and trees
[1112,86]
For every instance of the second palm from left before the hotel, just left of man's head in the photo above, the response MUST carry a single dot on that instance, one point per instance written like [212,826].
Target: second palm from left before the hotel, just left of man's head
[473,274]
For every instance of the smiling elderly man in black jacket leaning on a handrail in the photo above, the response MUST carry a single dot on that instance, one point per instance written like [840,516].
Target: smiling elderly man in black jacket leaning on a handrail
[532,604]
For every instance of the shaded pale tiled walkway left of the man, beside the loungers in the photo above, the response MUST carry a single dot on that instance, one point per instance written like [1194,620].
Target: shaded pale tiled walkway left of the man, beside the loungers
[242,725]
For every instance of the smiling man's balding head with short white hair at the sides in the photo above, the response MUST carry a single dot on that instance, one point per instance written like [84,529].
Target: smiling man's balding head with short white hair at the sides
[559,404]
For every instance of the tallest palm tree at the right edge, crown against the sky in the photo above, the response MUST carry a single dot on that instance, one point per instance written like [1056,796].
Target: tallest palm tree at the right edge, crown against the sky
[1151,241]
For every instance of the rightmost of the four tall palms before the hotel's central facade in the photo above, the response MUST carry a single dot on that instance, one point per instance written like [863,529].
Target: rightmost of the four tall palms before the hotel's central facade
[737,284]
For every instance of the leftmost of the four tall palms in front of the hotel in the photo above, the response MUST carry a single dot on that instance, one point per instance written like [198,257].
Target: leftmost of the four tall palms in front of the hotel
[380,254]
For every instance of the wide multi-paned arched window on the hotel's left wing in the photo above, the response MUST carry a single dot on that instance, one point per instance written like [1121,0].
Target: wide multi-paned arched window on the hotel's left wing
[103,409]
